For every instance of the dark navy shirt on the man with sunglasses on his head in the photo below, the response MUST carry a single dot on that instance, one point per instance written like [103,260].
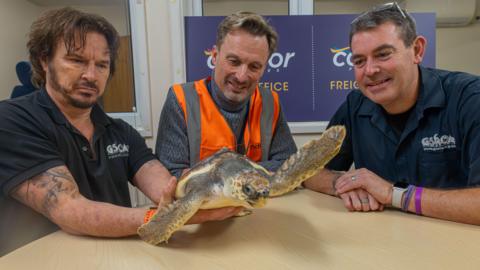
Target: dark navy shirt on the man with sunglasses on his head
[440,144]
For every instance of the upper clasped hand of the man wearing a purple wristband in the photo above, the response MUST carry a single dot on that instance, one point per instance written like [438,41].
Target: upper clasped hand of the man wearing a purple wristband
[364,179]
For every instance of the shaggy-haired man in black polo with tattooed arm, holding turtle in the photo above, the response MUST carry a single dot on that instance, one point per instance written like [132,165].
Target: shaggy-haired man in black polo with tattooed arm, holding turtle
[61,155]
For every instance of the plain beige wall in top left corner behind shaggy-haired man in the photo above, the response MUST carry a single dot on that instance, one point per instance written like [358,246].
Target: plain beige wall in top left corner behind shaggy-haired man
[15,20]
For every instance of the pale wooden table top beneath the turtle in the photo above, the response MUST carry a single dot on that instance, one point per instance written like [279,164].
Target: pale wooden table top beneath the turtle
[302,230]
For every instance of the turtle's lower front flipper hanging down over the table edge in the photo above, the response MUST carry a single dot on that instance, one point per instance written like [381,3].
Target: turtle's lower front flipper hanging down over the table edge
[169,219]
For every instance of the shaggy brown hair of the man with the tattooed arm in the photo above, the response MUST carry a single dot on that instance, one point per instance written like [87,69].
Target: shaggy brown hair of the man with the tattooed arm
[72,26]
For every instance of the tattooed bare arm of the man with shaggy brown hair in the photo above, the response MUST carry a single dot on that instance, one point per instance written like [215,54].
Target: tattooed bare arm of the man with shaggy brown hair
[54,193]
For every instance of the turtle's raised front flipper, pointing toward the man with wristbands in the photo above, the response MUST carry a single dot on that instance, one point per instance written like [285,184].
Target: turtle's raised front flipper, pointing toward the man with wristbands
[308,161]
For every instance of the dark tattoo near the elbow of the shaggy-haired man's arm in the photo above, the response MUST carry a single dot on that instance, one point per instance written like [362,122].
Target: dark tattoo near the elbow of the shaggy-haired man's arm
[44,191]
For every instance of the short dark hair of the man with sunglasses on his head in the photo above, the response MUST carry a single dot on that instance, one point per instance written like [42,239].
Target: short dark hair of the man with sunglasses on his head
[379,15]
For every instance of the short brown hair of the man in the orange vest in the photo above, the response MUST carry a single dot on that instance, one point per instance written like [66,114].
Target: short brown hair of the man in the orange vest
[252,23]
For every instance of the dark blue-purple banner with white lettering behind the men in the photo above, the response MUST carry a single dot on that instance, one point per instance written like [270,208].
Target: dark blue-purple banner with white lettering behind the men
[311,70]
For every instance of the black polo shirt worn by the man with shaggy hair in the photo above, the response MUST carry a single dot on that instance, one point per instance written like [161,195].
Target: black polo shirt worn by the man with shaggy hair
[35,136]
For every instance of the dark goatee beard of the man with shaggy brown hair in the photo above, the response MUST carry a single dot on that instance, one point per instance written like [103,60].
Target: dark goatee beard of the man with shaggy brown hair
[80,104]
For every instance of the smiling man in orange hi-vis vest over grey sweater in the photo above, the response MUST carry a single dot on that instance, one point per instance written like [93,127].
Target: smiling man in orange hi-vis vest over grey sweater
[227,109]
